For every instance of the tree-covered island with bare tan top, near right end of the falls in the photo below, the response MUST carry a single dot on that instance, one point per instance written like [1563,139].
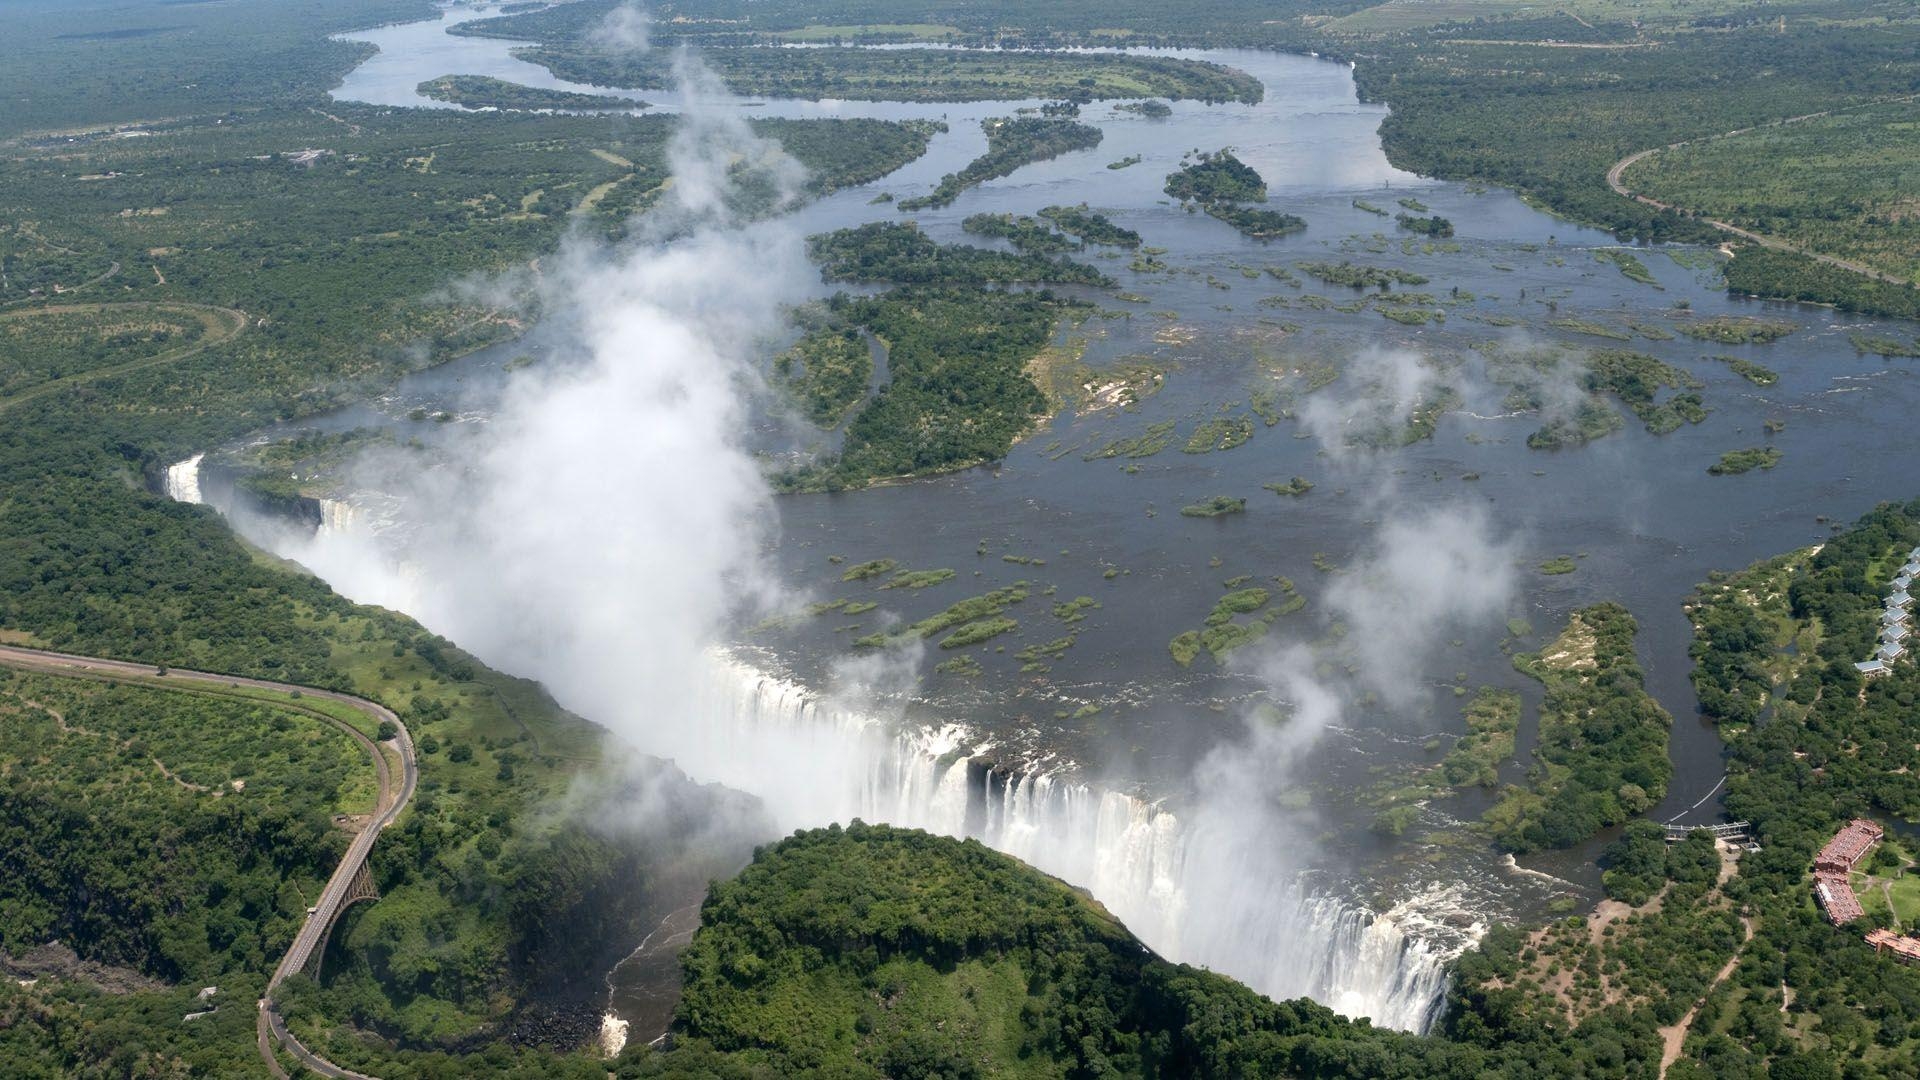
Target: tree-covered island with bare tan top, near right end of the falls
[1602,752]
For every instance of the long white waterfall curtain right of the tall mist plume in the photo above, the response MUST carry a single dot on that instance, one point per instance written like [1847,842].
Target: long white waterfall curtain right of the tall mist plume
[1195,895]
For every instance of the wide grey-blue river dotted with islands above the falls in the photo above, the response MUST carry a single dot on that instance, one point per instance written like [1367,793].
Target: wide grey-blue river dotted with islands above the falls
[1639,512]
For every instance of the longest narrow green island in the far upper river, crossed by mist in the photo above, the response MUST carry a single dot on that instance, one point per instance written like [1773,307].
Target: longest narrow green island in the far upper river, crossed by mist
[909,74]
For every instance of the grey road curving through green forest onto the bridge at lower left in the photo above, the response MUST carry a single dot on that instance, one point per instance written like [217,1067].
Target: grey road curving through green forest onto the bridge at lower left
[389,804]
